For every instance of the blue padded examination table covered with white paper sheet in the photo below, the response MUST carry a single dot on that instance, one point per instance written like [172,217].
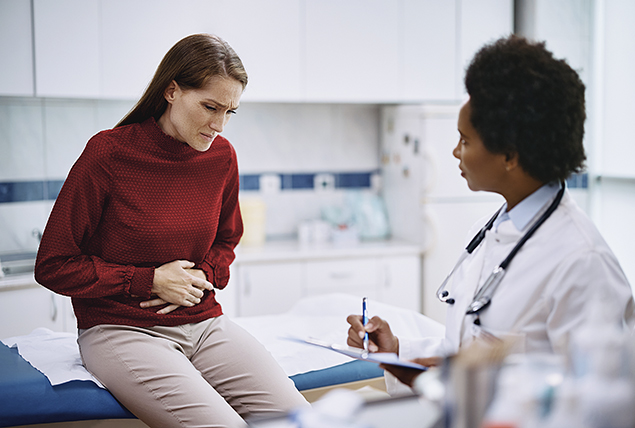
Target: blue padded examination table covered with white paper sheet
[61,391]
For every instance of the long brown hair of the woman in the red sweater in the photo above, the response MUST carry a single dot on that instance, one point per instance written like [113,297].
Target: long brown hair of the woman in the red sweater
[190,63]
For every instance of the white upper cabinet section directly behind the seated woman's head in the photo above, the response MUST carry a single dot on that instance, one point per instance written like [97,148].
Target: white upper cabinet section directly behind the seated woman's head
[111,49]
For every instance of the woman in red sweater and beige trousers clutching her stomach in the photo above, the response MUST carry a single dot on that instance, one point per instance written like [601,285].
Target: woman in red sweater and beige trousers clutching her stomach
[141,234]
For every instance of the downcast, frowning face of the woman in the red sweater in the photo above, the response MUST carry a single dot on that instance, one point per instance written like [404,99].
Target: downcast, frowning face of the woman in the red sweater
[197,116]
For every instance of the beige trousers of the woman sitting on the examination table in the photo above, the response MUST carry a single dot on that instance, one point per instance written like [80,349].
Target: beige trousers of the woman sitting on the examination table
[208,374]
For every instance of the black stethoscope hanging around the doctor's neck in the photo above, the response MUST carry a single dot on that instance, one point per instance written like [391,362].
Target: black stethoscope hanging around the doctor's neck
[484,296]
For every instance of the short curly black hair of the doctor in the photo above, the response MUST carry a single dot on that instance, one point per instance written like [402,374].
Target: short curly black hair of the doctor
[525,101]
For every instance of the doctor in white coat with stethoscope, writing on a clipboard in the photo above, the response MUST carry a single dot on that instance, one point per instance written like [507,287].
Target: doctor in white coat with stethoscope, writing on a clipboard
[540,259]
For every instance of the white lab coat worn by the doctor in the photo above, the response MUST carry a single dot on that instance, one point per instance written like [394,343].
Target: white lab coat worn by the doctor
[542,297]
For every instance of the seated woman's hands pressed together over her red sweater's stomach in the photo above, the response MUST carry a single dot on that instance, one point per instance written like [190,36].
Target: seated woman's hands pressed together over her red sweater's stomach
[178,284]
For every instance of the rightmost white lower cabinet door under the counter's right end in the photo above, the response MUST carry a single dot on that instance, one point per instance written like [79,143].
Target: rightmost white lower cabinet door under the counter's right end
[400,282]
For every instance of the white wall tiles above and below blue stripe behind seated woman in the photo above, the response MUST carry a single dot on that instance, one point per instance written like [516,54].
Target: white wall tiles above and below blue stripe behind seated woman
[40,139]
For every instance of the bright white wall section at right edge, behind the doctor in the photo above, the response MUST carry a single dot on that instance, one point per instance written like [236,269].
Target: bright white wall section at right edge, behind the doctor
[614,190]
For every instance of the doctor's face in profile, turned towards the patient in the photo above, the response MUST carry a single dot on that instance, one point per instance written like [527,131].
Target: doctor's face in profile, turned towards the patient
[482,169]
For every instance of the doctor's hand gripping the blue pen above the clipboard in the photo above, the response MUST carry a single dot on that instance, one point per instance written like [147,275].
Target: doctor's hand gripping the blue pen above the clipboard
[380,336]
